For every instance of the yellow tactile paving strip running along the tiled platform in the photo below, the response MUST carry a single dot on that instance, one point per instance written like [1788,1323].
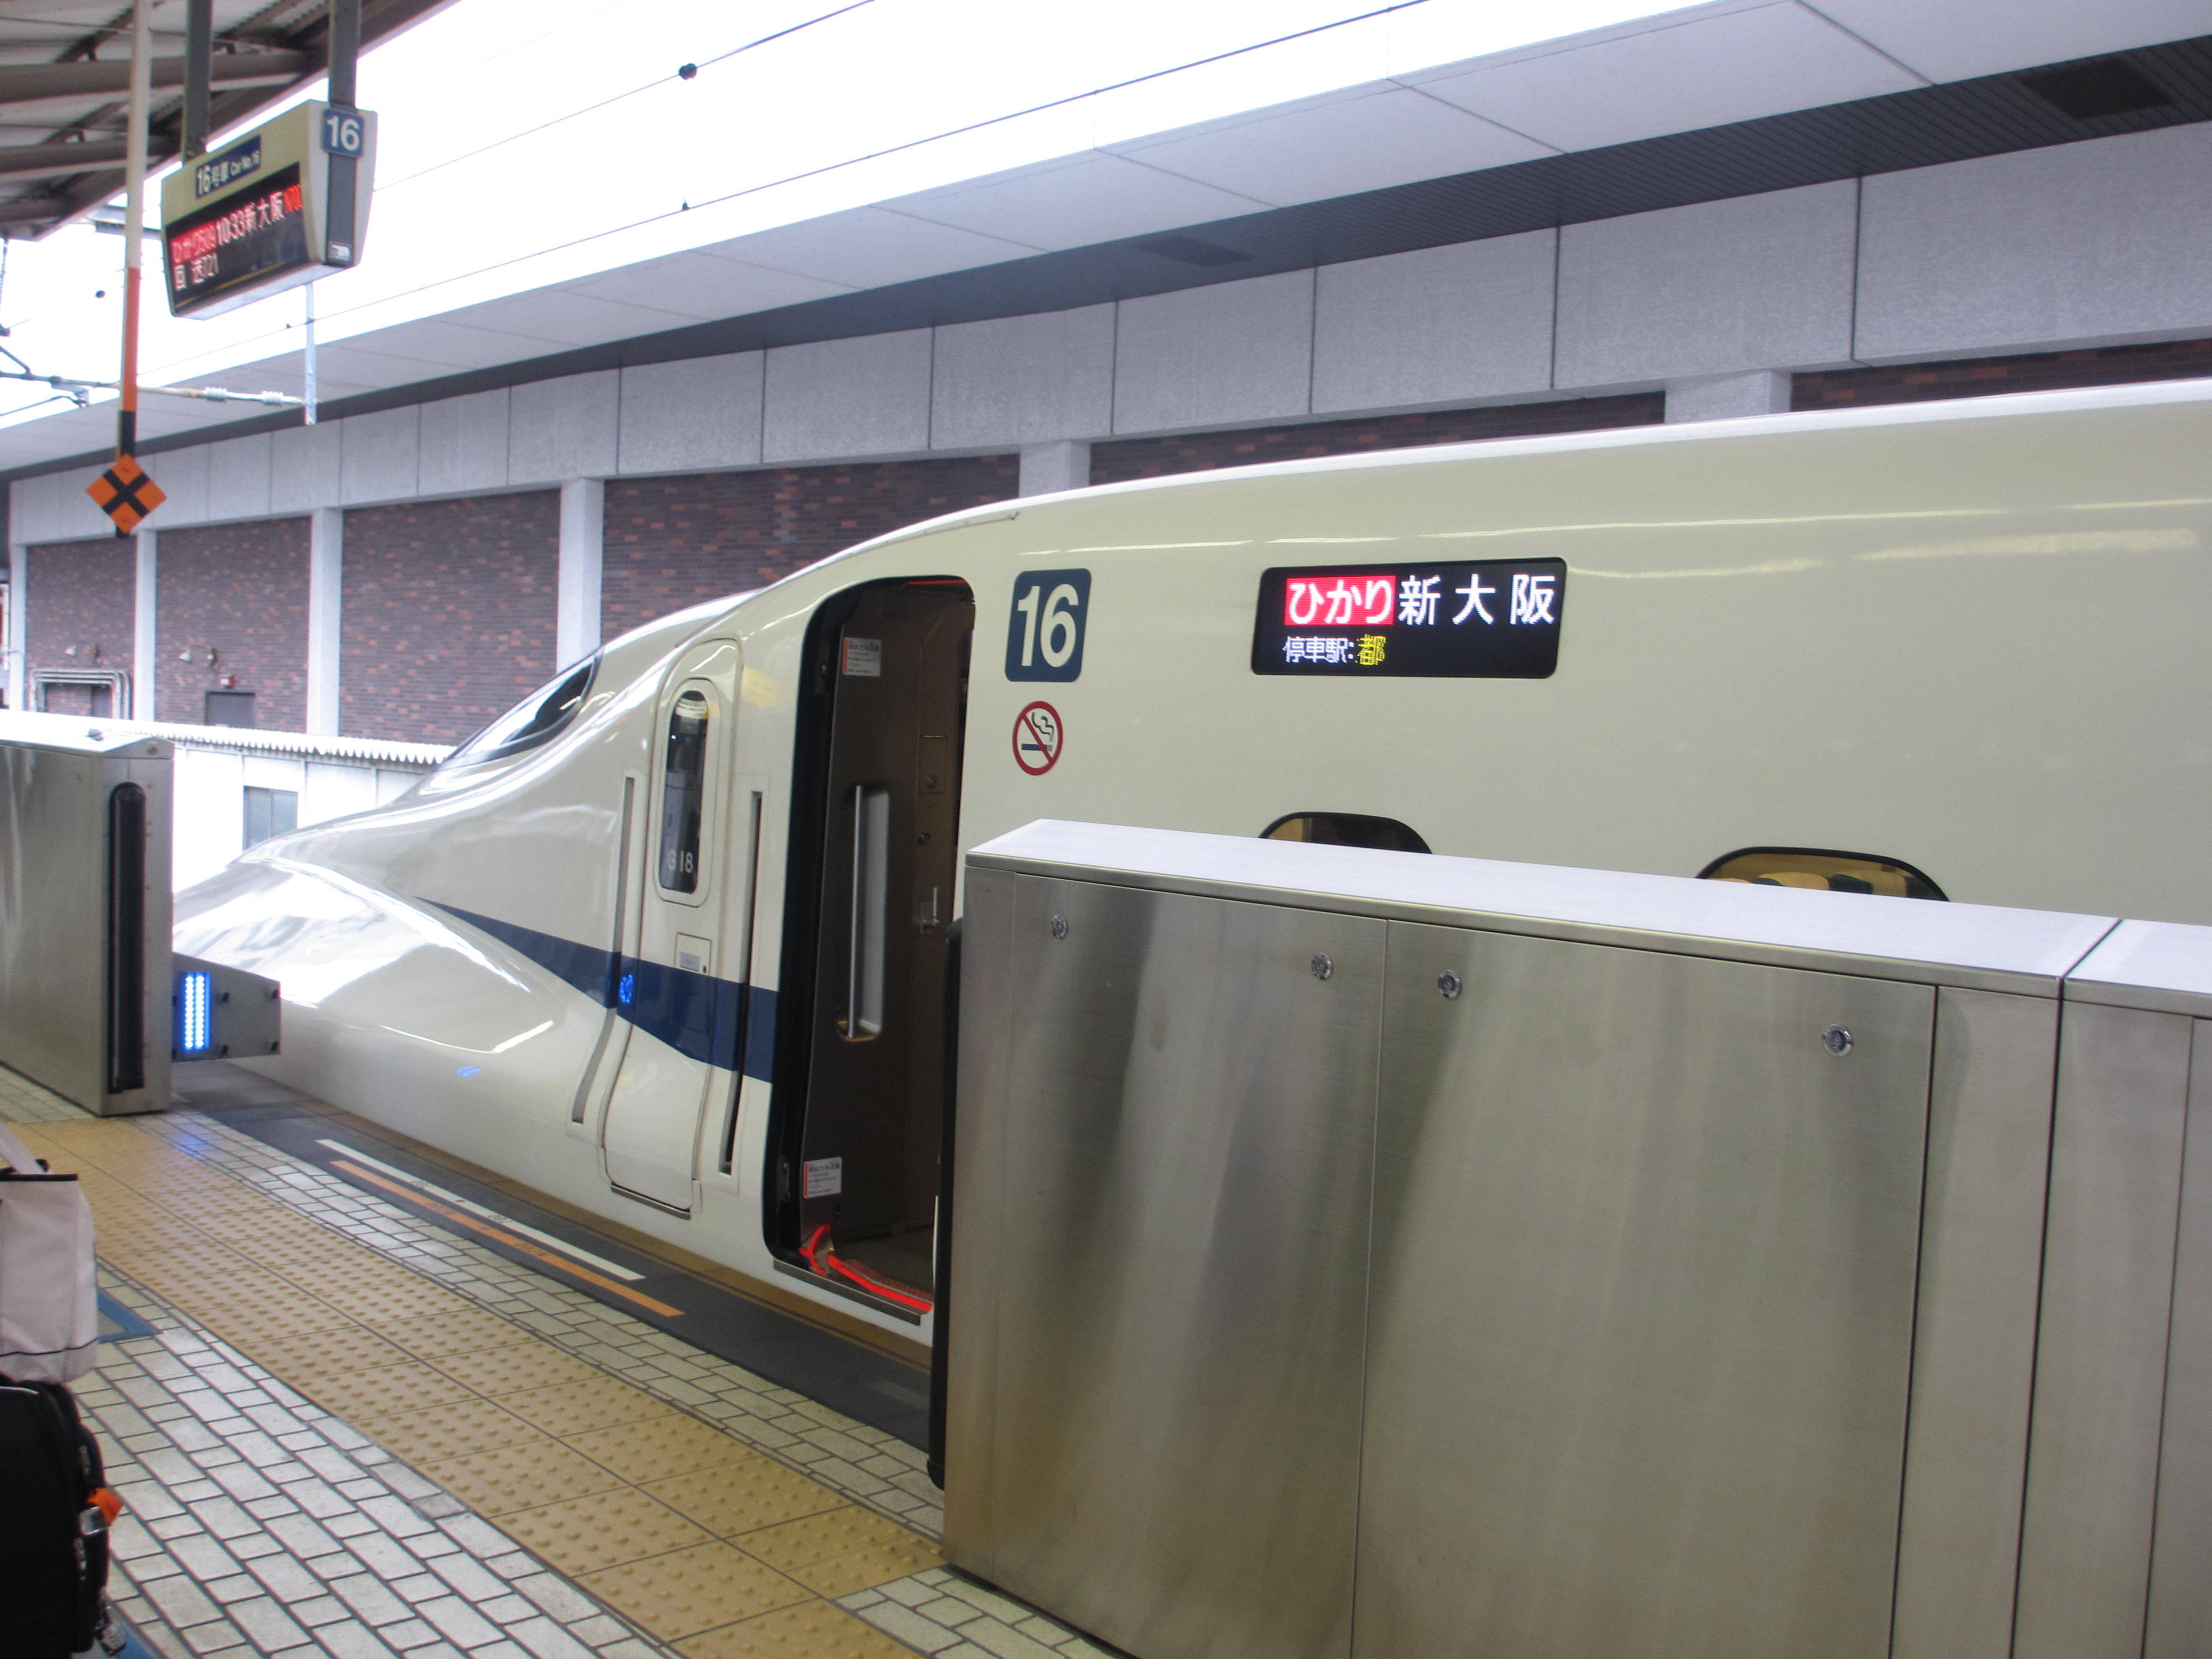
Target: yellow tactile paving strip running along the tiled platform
[693,1536]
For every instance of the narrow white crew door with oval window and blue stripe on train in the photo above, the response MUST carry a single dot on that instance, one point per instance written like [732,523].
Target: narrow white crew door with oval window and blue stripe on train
[682,1019]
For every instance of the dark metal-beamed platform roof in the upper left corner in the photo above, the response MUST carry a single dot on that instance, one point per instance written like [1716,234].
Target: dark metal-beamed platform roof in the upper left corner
[65,90]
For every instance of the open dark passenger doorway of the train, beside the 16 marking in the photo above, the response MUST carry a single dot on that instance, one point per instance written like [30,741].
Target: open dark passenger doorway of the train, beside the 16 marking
[859,1094]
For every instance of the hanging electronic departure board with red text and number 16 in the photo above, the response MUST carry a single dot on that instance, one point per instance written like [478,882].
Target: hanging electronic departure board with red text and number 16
[275,209]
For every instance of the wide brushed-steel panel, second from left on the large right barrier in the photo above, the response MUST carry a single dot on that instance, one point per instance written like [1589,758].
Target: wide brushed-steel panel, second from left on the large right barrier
[1642,1306]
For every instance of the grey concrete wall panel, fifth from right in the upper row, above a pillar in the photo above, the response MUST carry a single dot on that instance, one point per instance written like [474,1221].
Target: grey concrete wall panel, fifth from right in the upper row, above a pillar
[1023,379]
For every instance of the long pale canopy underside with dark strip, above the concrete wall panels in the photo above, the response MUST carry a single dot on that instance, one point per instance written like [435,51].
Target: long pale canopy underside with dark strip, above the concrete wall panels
[1722,101]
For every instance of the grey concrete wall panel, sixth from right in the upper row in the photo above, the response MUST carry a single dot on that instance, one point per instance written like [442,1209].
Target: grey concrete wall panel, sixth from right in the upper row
[848,399]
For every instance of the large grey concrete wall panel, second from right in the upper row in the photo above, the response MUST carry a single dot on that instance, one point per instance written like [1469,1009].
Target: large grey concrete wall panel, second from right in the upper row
[1715,289]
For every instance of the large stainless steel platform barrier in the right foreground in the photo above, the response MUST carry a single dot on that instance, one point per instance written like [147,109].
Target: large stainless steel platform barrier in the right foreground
[1386,1255]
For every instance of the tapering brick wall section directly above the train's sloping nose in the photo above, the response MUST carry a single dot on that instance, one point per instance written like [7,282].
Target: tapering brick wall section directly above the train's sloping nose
[689,539]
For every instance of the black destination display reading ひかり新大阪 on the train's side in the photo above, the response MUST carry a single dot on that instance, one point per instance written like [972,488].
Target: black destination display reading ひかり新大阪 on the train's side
[1488,620]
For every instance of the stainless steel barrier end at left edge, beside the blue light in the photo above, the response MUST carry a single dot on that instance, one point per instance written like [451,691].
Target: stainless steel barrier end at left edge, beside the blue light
[85,912]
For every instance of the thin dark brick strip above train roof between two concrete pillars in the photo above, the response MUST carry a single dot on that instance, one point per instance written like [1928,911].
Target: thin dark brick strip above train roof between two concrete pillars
[1114,463]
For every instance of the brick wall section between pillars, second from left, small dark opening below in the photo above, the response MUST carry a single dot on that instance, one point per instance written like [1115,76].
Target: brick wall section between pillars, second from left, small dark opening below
[242,592]
